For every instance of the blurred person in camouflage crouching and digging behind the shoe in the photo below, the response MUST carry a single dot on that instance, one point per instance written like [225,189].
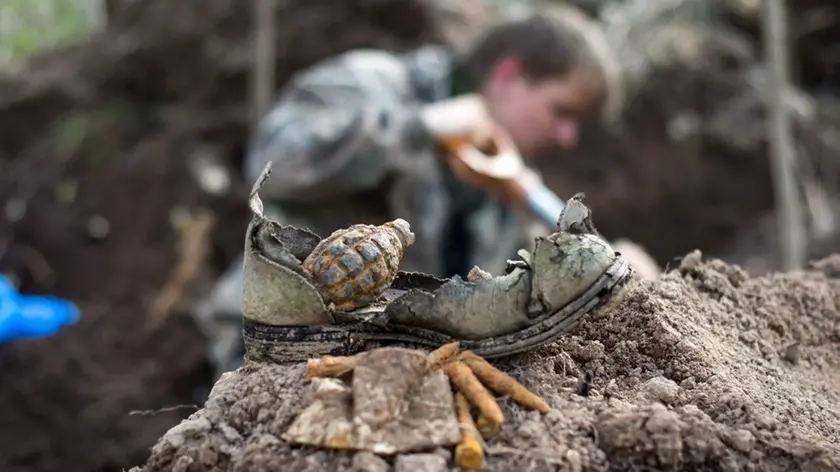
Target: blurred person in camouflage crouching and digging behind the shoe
[354,138]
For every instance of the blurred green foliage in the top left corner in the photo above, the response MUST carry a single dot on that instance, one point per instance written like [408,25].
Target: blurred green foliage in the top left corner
[27,26]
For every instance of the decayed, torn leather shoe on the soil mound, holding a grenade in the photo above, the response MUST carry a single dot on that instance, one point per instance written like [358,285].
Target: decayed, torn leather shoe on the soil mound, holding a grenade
[538,298]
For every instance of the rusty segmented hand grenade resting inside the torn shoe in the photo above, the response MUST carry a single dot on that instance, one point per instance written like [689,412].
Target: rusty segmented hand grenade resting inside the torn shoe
[354,266]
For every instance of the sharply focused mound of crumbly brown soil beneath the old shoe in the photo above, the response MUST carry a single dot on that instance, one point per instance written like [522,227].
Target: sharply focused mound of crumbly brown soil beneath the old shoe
[705,369]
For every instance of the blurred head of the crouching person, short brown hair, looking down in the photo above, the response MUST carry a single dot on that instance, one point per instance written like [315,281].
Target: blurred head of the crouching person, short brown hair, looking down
[542,76]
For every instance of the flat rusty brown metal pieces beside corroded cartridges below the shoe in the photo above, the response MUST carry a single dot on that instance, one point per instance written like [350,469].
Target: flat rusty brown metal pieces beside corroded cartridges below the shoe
[390,406]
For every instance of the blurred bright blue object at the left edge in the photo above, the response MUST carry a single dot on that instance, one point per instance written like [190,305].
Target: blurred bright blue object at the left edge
[32,316]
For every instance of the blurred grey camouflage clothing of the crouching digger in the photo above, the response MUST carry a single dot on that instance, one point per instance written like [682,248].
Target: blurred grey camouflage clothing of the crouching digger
[347,147]
